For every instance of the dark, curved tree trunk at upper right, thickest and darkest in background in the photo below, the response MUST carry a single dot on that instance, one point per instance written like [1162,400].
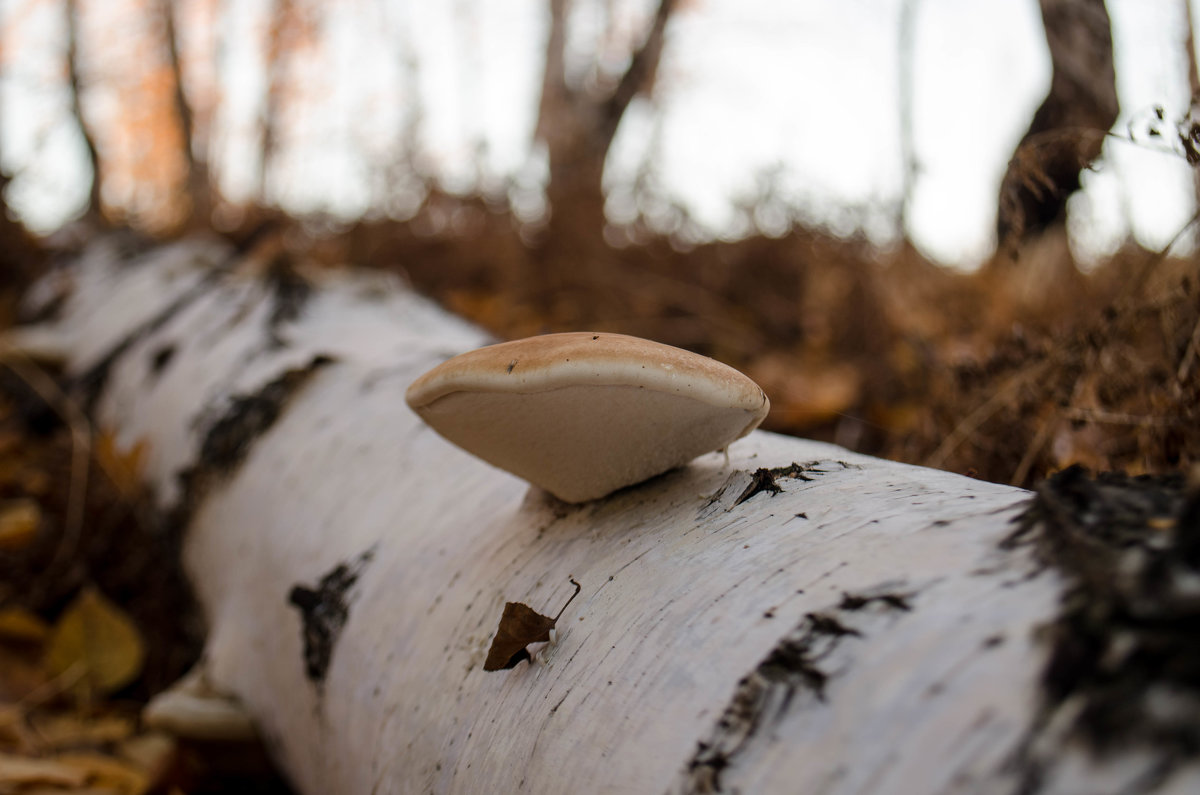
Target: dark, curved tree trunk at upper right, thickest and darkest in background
[1069,129]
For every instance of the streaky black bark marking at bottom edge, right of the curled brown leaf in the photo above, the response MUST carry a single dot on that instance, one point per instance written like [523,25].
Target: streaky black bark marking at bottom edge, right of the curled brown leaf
[765,696]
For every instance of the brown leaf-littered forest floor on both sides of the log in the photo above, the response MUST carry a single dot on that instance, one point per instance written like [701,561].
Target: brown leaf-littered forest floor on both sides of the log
[1007,374]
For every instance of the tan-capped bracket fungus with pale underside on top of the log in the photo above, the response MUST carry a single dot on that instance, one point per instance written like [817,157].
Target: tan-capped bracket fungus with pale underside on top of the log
[584,415]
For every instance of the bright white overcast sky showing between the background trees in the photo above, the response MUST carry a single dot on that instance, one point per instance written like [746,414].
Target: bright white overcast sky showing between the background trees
[803,91]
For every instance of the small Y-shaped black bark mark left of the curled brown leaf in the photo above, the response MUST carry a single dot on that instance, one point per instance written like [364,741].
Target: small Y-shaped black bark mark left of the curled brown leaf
[325,612]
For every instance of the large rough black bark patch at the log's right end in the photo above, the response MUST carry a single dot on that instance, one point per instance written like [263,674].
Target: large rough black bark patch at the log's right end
[1129,633]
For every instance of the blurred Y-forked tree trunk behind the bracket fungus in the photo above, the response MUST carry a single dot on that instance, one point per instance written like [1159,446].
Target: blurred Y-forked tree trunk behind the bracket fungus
[578,125]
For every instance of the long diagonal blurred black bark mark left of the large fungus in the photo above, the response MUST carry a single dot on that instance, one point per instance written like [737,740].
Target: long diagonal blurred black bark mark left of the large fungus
[231,438]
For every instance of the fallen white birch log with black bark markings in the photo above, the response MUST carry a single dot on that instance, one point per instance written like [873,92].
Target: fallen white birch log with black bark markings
[861,631]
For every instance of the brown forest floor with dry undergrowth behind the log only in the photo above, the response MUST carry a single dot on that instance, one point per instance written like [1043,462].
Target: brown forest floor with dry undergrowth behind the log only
[1007,374]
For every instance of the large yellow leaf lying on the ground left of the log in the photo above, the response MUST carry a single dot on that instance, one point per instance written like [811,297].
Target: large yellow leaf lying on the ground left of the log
[98,641]
